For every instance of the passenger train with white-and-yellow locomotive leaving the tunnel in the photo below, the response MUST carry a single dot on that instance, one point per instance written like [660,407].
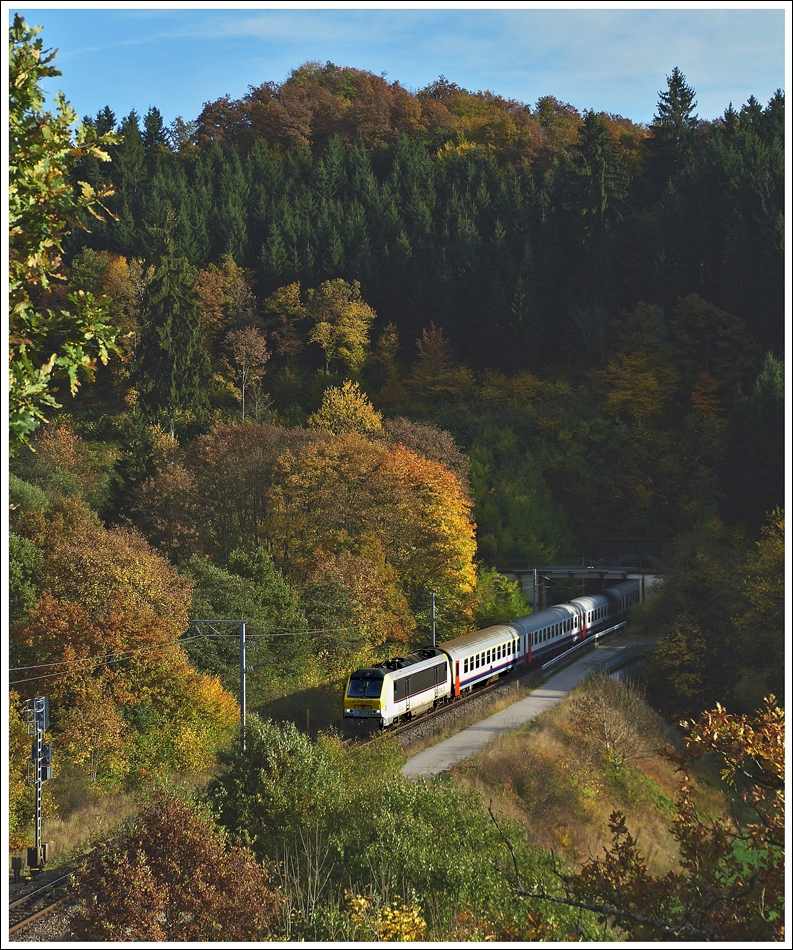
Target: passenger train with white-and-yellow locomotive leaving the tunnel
[403,687]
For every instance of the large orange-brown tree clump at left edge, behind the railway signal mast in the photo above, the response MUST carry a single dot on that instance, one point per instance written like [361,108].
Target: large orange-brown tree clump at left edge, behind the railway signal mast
[102,643]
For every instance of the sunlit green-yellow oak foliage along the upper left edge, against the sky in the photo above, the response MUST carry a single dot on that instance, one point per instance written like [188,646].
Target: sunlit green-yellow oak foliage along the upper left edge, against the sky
[44,202]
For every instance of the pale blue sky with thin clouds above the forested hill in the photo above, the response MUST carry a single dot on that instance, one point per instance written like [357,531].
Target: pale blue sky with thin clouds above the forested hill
[608,58]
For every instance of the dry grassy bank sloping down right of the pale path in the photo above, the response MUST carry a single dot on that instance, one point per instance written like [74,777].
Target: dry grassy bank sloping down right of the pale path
[563,774]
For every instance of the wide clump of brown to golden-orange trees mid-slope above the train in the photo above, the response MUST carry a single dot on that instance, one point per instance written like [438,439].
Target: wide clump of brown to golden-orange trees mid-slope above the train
[299,494]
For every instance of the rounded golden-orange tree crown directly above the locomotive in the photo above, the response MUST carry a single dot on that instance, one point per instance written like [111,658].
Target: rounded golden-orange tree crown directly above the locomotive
[415,507]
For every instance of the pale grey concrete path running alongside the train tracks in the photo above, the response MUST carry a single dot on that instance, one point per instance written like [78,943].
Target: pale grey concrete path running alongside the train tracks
[444,755]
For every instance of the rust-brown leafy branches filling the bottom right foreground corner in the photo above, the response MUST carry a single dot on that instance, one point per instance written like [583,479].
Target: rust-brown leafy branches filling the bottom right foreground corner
[729,885]
